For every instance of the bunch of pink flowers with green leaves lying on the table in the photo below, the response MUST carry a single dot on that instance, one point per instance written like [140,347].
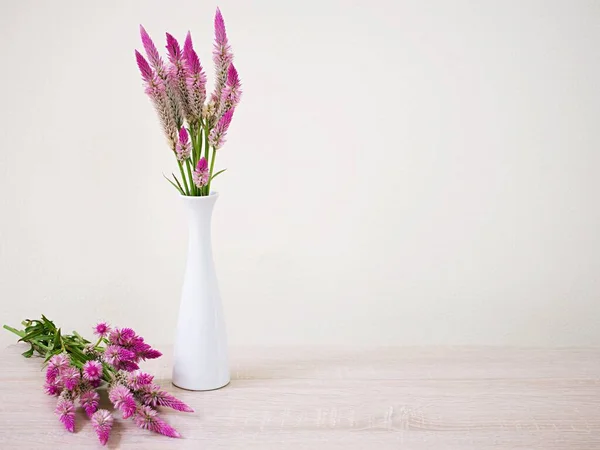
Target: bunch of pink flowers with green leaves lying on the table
[76,368]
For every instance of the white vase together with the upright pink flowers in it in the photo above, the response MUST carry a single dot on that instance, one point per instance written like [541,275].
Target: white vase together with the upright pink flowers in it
[195,127]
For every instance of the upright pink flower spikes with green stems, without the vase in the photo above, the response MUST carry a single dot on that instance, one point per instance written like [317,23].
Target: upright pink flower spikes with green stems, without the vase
[194,127]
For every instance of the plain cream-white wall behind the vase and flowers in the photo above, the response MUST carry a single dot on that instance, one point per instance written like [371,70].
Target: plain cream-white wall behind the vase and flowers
[398,172]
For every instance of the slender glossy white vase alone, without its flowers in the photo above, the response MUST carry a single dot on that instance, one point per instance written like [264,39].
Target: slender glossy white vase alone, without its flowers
[200,358]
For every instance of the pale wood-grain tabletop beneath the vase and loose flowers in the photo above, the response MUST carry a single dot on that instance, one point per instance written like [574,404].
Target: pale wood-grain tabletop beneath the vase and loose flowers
[310,398]
